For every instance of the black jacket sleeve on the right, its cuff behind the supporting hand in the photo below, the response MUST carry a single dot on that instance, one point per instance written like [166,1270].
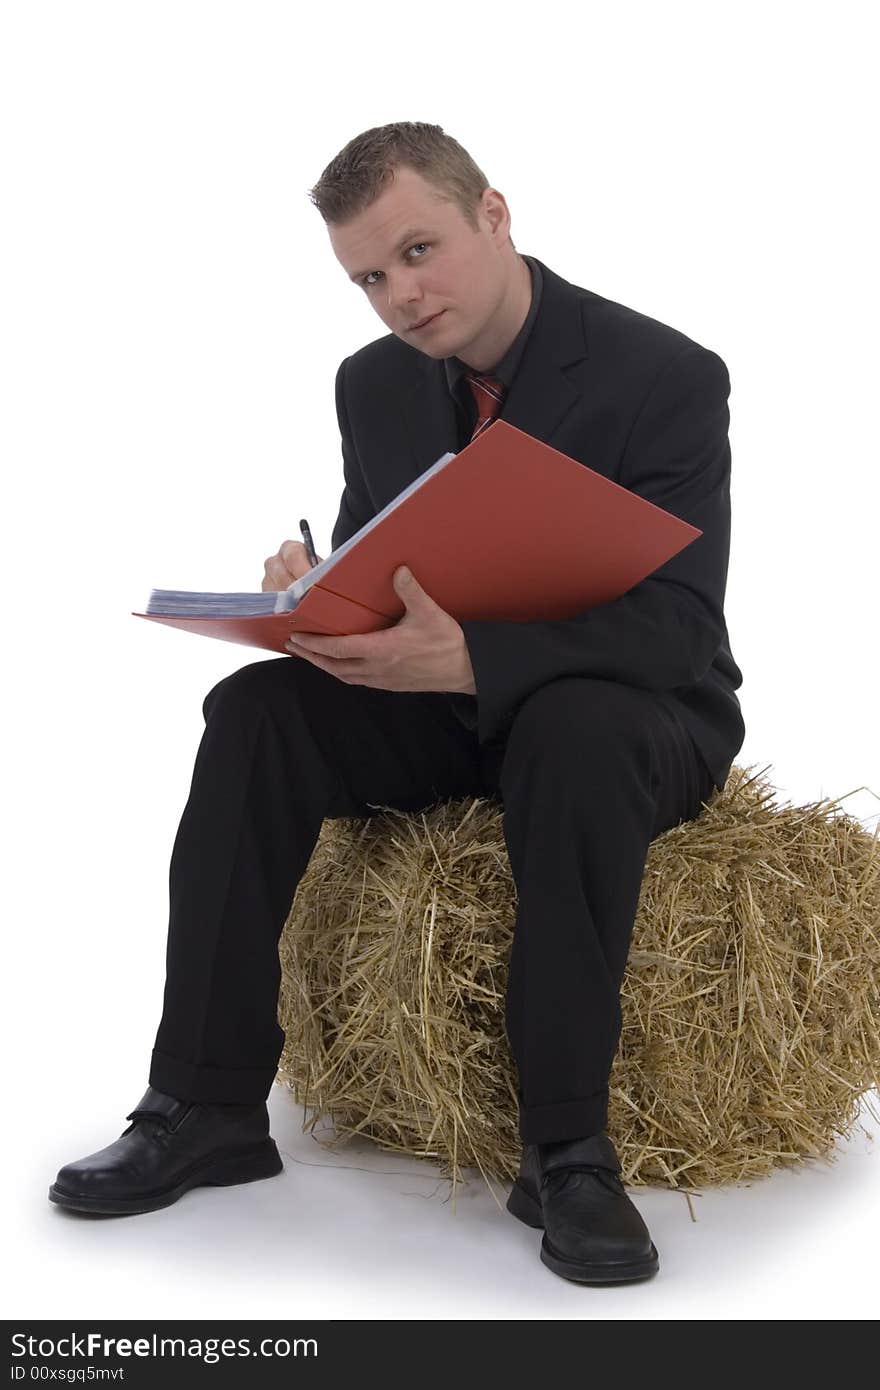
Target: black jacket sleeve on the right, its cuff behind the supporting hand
[665,632]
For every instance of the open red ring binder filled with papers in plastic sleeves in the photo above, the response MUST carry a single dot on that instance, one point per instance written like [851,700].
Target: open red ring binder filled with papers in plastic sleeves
[508,530]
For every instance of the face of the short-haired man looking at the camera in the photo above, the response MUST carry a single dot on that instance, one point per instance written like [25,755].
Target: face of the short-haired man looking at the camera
[416,256]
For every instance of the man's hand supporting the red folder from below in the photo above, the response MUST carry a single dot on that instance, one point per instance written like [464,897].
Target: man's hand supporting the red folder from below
[425,651]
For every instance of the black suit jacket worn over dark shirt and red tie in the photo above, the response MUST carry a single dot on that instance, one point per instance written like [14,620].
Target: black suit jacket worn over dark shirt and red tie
[633,400]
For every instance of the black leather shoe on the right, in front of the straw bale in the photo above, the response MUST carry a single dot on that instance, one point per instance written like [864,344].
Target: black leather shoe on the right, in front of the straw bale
[593,1234]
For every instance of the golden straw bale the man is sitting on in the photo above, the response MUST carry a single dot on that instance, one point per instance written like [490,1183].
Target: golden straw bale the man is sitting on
[751,1003]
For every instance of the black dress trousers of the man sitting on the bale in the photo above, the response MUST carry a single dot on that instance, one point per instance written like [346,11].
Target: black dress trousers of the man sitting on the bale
[589,774]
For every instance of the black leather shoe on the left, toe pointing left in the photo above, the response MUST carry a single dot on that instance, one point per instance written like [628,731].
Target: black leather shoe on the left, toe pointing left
[170,1147]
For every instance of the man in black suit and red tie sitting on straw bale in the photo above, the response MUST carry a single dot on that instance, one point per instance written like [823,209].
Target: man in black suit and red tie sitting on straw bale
[596,733]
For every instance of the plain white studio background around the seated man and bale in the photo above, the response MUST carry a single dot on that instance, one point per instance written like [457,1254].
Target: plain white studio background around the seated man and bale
[172,323]
